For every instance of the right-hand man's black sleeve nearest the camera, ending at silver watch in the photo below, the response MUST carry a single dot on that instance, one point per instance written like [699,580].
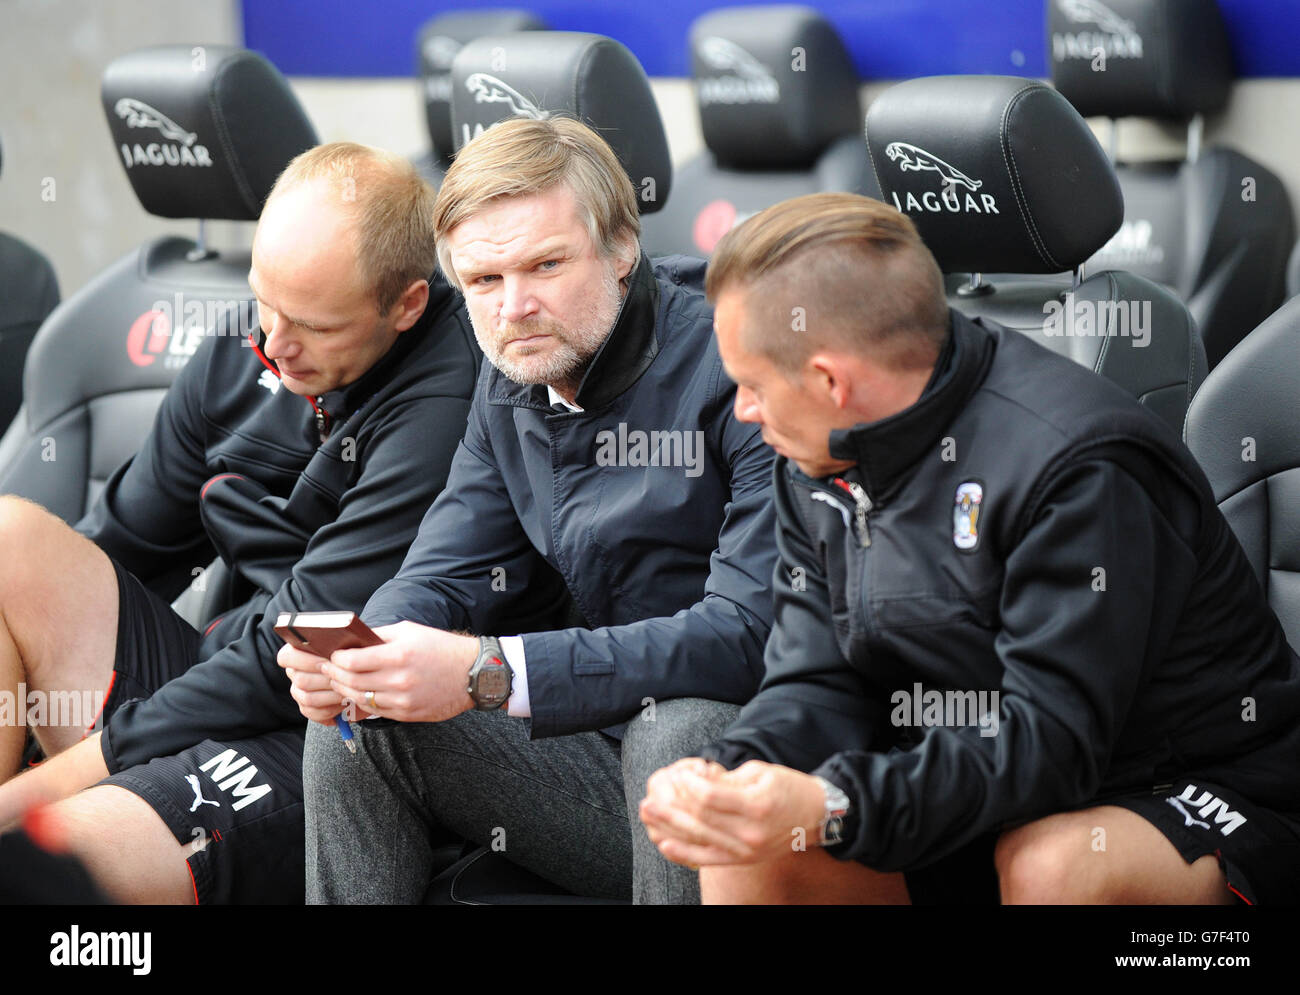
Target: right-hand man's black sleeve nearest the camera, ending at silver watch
[1090,602]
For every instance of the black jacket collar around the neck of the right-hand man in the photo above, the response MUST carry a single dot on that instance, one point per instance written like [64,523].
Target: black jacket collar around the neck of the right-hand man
[885,451]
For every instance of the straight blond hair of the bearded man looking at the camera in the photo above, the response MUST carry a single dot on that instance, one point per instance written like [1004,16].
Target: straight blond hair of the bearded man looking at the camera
[525,157]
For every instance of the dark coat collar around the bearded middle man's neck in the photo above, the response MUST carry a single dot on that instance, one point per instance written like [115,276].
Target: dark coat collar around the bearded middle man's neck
[626,354]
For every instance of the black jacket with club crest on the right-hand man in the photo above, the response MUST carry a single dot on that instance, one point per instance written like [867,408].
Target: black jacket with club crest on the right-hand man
[1102,595]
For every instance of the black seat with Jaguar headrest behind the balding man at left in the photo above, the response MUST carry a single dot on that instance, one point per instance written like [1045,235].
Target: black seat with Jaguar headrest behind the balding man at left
[201,139]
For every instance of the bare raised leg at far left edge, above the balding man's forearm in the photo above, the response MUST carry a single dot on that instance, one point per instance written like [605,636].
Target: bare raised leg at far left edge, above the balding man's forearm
[58,624]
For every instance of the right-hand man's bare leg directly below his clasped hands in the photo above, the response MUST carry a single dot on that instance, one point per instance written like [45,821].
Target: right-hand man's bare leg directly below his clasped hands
[803,879]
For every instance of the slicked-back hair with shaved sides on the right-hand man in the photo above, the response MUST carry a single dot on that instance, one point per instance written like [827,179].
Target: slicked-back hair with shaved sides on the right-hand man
[834,270]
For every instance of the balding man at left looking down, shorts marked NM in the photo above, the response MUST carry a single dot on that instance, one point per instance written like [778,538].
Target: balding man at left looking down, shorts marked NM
[306,457]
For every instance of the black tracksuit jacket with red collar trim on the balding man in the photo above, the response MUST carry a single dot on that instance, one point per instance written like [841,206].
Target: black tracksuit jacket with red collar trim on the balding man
[236,464]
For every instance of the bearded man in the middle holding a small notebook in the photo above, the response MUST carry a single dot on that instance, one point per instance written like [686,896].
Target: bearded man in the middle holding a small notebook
[604,473]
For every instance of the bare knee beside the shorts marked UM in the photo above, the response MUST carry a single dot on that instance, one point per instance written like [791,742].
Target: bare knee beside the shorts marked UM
[1065,860]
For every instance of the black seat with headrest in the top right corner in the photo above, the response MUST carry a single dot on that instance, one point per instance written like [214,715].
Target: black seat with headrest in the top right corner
[1216,227]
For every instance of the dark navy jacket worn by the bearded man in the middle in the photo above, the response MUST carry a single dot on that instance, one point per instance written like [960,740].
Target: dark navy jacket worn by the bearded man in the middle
[652,508]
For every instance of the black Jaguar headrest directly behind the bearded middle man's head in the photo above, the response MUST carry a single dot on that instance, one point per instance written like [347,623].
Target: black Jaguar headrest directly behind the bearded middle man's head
[590,77]
